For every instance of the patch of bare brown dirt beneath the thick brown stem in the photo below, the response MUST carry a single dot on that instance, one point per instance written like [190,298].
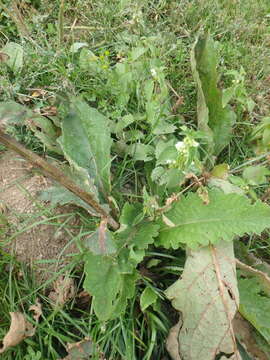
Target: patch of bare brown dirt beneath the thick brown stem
[32,240]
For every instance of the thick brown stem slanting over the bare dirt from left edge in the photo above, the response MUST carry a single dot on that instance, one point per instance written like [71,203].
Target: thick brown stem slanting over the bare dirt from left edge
[57,175]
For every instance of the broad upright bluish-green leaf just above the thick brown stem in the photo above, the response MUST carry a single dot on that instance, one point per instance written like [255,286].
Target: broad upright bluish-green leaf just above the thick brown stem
[86,142]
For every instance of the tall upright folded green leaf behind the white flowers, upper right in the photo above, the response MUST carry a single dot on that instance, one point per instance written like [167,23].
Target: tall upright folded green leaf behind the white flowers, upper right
[214,119]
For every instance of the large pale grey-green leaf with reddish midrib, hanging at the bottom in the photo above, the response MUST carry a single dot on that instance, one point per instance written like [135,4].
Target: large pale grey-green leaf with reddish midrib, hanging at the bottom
[207,297]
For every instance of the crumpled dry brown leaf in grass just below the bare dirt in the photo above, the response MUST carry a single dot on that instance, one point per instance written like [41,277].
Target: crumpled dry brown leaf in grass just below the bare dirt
[63,291]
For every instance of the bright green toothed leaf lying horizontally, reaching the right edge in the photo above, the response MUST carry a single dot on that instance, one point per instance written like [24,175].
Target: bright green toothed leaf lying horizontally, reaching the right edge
[194,223]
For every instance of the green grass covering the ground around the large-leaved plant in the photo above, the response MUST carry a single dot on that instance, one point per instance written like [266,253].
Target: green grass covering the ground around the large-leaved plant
[112,30]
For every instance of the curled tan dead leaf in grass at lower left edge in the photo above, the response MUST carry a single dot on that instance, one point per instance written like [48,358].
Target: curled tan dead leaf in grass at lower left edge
[19,329]
